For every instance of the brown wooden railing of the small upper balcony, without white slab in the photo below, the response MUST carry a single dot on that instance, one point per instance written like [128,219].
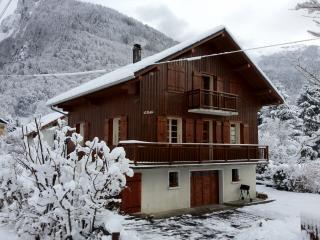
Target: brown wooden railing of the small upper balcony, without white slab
[206,99]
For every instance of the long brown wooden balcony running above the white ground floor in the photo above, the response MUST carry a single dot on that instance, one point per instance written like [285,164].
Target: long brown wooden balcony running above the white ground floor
[147,153]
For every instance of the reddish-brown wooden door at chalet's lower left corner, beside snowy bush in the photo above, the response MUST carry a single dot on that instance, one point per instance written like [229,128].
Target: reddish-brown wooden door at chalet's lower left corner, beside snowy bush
[131,195]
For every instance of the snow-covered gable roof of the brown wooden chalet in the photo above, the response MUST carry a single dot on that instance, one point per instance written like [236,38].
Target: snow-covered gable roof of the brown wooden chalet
[127,72]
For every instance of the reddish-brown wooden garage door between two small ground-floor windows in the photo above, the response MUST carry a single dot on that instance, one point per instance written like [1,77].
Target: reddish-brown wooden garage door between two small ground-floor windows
[204,188]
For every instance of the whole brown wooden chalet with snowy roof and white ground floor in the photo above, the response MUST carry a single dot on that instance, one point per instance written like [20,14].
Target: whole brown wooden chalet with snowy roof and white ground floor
[189,123]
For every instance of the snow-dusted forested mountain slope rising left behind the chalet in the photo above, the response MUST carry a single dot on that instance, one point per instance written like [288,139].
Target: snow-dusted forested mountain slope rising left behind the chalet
[64,36]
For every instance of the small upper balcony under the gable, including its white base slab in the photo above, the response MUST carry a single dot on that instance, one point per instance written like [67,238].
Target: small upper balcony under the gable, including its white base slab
[212,102]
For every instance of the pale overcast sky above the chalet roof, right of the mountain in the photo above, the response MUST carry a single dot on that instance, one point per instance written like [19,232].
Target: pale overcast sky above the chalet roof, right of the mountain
[253,22]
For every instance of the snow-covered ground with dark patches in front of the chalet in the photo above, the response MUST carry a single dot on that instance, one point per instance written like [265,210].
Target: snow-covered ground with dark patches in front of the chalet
[276,220]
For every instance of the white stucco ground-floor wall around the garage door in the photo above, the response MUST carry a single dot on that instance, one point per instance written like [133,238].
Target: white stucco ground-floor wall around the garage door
[156,196]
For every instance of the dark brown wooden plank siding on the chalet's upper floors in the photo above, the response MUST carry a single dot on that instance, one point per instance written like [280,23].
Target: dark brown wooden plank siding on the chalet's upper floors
[142,100]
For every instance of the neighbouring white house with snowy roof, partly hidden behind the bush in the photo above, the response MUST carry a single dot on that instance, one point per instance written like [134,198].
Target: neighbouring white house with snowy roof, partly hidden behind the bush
[47,125]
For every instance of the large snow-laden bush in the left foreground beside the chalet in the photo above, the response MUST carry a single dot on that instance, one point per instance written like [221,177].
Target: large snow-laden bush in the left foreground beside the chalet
[67,191]
